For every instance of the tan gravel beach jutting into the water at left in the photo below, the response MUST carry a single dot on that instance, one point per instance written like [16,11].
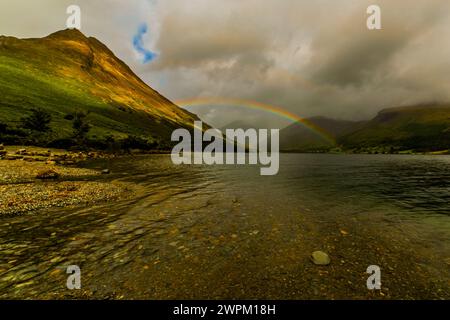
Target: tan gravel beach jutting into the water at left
[21,191]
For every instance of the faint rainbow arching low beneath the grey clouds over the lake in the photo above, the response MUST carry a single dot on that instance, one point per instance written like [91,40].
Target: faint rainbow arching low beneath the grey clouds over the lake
[248,104]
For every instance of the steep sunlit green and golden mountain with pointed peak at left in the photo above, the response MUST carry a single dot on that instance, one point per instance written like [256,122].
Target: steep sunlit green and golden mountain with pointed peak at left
[67,72]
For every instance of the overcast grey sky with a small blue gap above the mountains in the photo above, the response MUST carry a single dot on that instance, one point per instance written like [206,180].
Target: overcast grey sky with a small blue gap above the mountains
[308,57]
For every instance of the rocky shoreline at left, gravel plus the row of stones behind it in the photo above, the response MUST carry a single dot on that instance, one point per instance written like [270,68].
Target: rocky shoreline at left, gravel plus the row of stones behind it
[34,178]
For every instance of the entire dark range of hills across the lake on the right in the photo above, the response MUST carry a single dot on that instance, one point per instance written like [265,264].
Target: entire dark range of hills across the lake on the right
[416,128]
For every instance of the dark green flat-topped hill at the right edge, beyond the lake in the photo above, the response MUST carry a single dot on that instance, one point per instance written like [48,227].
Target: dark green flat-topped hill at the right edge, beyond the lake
[420,128]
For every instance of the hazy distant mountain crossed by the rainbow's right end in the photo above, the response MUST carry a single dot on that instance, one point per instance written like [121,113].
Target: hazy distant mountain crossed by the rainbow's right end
[298,137]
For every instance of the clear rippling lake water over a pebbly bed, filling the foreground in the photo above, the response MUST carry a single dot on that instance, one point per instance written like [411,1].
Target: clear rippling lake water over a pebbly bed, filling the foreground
[227,232]
